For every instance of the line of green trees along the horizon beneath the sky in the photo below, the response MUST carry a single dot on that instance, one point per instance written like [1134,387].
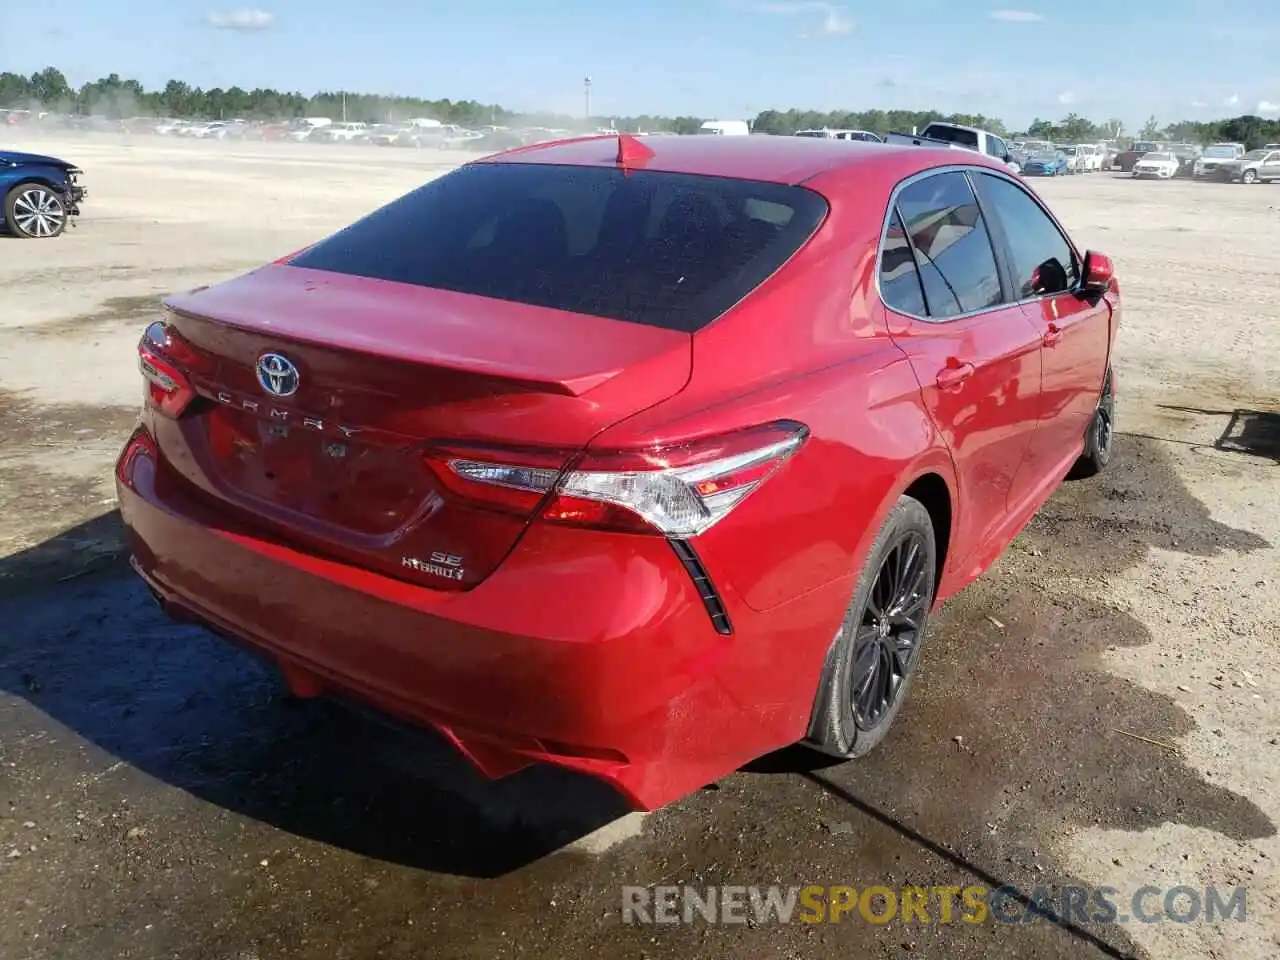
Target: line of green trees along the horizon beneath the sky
[116,98]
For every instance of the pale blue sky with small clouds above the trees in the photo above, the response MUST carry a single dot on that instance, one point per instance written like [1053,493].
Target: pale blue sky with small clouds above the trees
[1176,60]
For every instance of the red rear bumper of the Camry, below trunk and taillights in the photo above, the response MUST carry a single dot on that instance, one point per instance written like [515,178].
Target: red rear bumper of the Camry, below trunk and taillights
[589,651]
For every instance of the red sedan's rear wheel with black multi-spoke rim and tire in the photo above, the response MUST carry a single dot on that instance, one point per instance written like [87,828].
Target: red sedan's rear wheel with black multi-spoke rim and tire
[904,556]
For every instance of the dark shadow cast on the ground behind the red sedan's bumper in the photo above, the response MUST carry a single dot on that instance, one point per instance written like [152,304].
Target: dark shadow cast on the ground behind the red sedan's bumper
[97,655]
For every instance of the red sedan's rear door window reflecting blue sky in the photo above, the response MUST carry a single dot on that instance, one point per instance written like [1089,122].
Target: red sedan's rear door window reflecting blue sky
[953,249]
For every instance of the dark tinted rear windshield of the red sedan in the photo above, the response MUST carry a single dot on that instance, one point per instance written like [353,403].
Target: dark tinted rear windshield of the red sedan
[659,249]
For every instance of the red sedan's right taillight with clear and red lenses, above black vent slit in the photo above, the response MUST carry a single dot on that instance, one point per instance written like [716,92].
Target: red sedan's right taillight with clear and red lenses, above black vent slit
[678,492]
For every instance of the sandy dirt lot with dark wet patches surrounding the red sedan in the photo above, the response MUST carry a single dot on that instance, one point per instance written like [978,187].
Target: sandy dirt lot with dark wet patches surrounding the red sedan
[1103,708]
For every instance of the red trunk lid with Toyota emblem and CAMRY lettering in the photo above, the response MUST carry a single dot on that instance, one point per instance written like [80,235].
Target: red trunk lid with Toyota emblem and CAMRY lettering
[376,374]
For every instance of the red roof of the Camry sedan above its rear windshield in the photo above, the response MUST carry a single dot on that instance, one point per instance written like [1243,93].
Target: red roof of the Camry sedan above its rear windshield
[788,161]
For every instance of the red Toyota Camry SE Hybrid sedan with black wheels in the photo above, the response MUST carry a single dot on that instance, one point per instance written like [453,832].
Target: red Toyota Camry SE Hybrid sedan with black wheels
[638,458]
